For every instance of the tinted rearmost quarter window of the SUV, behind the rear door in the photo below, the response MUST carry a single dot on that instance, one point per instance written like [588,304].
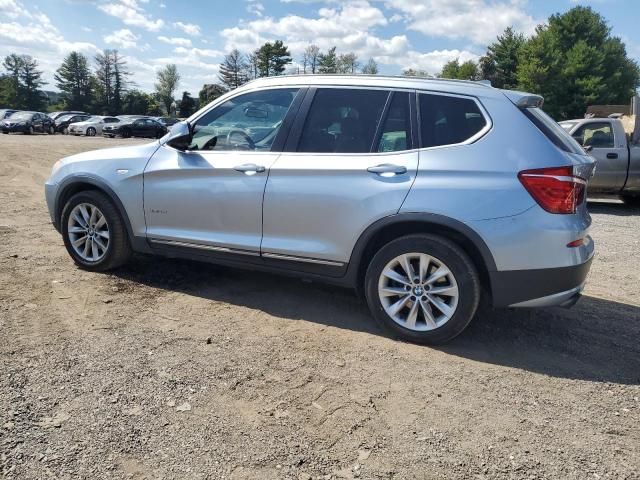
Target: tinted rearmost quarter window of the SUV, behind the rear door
[446,120]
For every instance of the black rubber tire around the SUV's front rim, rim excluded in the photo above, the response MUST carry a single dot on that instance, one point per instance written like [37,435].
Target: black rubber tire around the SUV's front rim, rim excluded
[118,249]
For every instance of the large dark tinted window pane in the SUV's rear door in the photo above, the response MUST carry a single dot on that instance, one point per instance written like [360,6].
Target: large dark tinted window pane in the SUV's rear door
[342,120]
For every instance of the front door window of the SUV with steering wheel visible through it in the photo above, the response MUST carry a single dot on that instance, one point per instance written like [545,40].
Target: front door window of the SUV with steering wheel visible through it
[246,122]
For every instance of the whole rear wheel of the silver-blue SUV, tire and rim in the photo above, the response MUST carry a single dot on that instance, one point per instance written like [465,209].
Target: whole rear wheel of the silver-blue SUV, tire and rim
[422,288]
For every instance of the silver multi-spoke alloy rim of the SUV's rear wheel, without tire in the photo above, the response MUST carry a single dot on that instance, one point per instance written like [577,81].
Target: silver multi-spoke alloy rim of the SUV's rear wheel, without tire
[418,291]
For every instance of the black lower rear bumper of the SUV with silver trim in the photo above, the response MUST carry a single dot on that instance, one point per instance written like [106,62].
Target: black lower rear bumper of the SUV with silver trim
[545,287]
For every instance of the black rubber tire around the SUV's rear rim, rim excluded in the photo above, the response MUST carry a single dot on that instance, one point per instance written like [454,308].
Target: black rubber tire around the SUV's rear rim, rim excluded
[458,262]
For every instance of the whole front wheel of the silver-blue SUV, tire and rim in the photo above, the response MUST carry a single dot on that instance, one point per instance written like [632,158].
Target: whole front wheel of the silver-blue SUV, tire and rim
[94,232]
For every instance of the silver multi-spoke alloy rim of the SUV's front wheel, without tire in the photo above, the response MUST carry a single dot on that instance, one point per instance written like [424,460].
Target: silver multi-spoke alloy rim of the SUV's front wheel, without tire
[88,232]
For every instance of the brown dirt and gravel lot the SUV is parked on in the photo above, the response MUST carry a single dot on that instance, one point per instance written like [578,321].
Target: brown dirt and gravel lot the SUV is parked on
[170,369]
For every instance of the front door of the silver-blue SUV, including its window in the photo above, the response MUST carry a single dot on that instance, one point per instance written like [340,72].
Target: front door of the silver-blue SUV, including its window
[210,196]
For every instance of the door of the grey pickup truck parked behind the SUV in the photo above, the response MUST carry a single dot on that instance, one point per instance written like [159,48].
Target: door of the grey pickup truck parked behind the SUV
[610,152]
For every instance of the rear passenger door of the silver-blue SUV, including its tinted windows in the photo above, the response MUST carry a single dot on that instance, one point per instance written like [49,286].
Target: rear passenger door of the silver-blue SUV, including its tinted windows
[348,162]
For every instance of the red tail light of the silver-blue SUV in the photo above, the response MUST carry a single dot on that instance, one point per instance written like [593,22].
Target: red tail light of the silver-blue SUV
[556,189]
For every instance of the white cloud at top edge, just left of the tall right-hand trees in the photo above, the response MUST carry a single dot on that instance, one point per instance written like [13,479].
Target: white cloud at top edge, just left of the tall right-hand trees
[477,20]
